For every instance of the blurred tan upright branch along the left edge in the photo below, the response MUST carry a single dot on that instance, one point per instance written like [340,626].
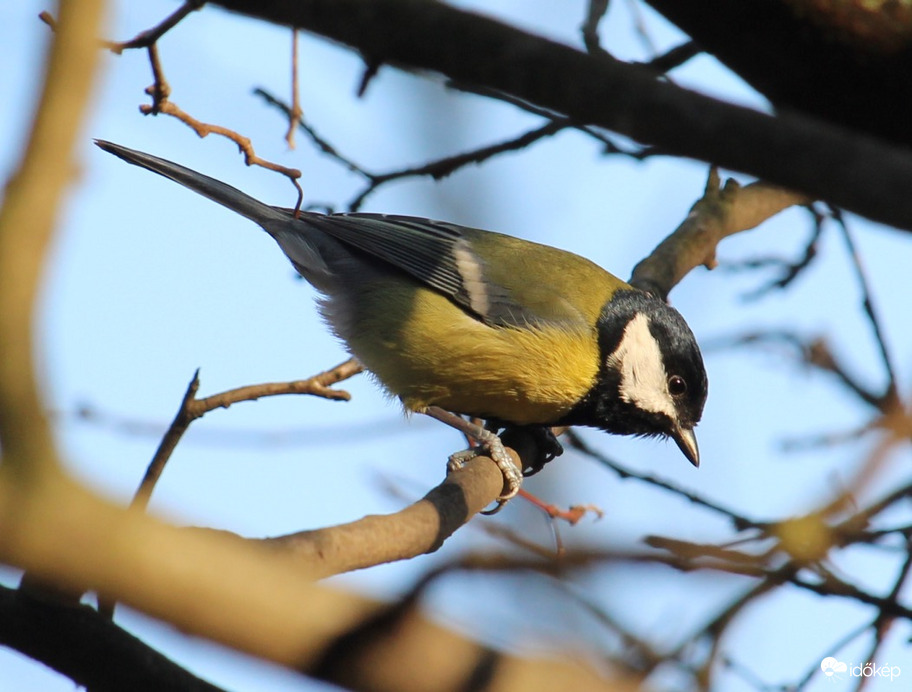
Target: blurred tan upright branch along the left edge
[27,222]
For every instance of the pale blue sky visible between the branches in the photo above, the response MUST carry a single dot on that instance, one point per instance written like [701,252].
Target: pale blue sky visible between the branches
[147,282]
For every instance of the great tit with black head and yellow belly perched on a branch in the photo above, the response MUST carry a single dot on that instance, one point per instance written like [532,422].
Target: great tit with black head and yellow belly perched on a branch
[458,321]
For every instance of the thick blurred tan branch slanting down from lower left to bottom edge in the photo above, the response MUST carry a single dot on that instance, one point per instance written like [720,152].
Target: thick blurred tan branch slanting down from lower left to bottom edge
[255,599]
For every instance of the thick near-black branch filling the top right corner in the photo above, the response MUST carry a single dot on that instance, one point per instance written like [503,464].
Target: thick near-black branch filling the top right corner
[846,63]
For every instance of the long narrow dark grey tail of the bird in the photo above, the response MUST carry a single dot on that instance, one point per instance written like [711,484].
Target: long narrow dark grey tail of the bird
[215,190]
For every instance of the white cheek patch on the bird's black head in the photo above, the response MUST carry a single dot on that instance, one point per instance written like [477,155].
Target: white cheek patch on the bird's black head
[638,359]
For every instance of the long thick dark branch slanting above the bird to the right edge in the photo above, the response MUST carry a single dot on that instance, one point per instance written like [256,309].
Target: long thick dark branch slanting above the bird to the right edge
[797,152]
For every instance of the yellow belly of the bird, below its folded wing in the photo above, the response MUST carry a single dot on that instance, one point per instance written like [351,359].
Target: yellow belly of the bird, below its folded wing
[427,351]
